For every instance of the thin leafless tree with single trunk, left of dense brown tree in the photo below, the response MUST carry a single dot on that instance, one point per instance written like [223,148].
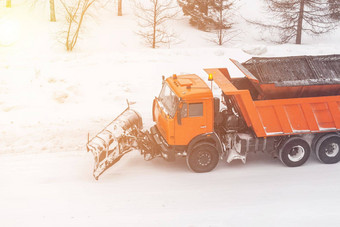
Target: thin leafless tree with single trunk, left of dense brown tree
[152,18]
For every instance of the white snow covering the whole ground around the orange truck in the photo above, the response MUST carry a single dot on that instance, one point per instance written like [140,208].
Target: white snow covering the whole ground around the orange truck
[50,100]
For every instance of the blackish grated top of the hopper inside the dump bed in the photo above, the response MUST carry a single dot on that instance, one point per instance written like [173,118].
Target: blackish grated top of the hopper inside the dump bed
[296,70]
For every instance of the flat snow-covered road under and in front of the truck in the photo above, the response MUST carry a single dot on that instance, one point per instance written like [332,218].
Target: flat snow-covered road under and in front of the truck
[57,189]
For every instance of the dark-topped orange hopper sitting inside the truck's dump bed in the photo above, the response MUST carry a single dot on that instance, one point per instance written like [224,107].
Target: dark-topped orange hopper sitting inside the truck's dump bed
[290,77]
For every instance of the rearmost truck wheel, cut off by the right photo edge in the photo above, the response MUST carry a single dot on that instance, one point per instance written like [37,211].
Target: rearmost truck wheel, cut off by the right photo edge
[328,149]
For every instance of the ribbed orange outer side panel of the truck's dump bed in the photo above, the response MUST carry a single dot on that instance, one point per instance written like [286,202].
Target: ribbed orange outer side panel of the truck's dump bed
[299,115]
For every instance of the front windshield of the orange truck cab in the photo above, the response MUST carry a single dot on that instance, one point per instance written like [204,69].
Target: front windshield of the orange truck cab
[168,100]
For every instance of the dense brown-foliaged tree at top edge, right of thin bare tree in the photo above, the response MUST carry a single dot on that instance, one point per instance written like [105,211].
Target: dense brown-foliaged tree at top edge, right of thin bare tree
[198,10]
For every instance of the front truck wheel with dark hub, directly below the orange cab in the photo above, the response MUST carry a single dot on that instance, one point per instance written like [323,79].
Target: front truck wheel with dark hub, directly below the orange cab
[202,158]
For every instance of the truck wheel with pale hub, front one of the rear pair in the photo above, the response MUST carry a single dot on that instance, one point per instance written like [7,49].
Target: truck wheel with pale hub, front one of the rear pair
[294,152]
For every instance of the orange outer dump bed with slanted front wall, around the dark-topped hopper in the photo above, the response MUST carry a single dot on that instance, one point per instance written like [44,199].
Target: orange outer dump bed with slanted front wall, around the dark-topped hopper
[281,116]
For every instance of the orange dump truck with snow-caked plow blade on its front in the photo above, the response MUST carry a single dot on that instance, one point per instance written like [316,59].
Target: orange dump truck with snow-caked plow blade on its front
[286,107]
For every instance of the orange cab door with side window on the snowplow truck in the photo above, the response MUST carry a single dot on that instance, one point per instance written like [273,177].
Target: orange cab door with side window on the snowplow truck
[193,121]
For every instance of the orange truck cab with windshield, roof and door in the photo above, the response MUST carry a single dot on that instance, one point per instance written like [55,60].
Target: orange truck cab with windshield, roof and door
[184,109]
